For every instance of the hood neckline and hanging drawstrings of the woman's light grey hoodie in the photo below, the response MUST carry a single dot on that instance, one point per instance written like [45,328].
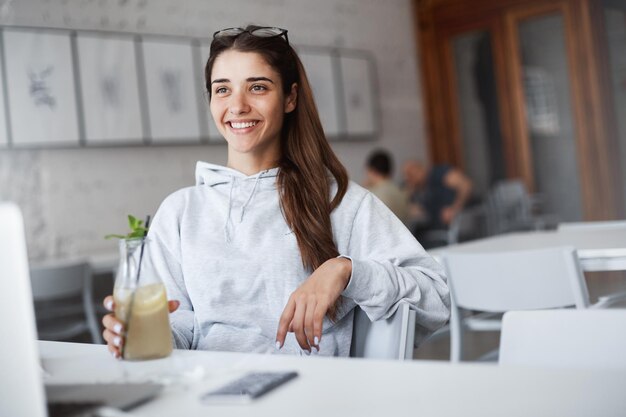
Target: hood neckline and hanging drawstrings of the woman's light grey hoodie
[212,175]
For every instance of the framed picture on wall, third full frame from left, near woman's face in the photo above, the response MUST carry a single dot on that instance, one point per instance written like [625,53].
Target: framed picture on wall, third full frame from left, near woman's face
[172,93]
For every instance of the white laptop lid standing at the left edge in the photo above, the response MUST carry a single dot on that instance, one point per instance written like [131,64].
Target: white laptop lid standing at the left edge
[22,391]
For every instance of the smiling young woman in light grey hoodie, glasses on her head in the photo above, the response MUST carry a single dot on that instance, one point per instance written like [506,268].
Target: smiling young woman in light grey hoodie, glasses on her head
[272,252]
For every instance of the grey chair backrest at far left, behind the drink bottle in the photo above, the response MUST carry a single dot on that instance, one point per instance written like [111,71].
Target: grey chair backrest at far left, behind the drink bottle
[59,279]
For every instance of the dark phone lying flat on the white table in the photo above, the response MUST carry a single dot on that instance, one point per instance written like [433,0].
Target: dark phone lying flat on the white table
[247,387]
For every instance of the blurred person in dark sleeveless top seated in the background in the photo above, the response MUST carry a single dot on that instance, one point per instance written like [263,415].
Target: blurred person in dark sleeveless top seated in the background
[436,194]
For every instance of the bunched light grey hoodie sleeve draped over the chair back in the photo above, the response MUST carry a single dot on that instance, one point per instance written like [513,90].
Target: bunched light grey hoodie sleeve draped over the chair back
[389,266]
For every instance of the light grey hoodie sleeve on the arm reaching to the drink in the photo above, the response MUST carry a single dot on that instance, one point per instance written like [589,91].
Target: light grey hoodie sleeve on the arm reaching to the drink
[165,252]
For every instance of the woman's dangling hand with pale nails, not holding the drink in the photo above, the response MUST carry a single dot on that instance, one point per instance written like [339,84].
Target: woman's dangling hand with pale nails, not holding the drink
[307,306]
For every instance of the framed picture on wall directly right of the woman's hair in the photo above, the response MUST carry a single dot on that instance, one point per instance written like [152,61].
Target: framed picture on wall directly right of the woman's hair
[321,72]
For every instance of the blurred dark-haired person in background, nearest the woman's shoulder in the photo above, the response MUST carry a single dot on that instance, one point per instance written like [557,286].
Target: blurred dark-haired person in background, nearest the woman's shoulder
[378,173]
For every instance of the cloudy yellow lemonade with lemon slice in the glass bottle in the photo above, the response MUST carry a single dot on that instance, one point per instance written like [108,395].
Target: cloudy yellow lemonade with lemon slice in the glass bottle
[148,334]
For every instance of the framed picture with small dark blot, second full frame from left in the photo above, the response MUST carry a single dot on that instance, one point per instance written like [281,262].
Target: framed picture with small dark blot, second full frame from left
[110,89]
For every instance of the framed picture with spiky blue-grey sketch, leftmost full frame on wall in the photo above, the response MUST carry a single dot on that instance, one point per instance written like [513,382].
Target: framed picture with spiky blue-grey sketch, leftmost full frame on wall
[40,88]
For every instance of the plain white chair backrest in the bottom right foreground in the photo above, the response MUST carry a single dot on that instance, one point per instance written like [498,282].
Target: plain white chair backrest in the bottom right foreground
[564,338]
